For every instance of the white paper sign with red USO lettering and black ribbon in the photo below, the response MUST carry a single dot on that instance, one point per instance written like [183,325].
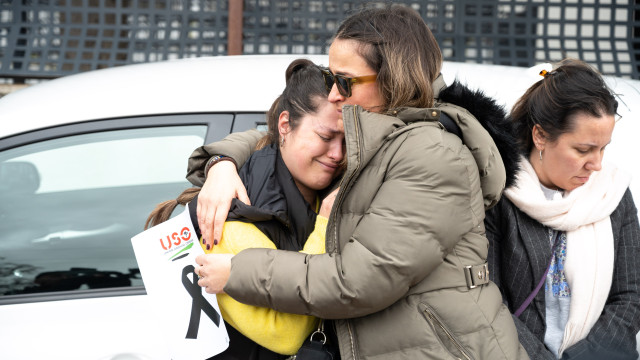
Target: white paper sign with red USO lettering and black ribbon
[188,316]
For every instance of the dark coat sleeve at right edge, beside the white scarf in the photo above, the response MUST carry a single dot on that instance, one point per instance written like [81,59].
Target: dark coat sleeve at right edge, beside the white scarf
[613,336]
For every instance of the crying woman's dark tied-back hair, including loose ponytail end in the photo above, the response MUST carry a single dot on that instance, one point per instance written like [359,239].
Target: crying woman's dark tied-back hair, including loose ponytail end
[304,92]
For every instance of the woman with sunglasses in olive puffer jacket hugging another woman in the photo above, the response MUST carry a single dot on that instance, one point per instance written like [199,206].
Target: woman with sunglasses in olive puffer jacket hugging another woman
[404,274]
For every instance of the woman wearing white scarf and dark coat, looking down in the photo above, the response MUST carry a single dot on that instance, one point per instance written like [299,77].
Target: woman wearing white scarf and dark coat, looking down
[563,123]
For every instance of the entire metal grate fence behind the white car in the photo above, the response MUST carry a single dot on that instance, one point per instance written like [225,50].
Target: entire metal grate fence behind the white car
[52,38]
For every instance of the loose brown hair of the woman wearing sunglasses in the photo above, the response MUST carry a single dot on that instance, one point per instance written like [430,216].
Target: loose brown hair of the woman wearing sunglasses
[398,45]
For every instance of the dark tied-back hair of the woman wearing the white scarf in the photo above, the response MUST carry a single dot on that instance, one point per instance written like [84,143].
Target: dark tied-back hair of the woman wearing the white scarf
[573,87]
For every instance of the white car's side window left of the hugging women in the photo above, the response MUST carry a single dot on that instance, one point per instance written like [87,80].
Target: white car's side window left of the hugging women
[71,205]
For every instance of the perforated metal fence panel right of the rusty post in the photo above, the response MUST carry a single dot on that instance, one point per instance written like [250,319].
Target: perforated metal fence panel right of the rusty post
[506,32]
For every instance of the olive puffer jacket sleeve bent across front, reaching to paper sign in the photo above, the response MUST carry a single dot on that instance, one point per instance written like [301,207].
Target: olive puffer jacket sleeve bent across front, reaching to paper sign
[419,213]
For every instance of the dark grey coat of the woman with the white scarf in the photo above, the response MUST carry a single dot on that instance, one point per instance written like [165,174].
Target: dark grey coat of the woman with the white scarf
[519,253]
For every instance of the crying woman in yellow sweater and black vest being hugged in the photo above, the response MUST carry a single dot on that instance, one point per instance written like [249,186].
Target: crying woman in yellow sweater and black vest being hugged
[300,156]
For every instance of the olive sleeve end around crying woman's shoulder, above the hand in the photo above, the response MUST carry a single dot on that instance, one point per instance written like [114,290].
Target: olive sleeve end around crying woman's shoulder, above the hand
[238,146]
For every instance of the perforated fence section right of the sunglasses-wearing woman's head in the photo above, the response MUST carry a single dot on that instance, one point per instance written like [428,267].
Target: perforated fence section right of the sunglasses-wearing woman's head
[524,33]
